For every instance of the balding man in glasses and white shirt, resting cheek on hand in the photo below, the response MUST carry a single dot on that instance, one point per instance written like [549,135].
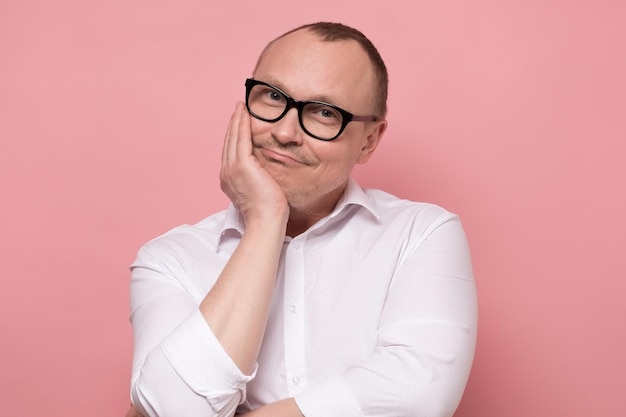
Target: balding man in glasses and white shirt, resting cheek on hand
[309,295]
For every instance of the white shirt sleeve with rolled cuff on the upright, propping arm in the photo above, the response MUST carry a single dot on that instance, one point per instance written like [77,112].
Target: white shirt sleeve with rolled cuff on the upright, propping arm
[179,367]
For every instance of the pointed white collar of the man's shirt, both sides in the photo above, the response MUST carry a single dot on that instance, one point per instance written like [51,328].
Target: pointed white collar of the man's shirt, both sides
[354,195]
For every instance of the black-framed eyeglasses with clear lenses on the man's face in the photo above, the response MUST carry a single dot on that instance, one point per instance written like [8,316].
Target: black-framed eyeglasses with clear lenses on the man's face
[320,120]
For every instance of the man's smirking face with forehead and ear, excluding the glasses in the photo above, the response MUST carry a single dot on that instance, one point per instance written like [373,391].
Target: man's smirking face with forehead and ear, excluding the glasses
[313,173]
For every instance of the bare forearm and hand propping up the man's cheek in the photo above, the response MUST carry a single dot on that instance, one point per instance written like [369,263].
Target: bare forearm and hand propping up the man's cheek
[237,306]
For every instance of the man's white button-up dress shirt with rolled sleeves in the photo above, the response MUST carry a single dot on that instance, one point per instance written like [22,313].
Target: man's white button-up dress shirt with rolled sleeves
[373,314]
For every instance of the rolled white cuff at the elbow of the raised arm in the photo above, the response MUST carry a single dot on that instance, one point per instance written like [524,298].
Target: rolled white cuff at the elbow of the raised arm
[202,363]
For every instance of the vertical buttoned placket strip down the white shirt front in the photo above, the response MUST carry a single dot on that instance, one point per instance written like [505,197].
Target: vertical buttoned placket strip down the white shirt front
[293,313]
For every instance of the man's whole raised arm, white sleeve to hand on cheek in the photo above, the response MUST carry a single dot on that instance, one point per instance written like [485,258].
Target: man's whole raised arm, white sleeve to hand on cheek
[181,361]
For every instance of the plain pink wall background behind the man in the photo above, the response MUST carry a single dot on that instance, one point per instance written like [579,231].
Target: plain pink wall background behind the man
[510,113]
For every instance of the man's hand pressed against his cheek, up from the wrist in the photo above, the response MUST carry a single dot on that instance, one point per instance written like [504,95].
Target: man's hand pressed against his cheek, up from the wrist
[247,184]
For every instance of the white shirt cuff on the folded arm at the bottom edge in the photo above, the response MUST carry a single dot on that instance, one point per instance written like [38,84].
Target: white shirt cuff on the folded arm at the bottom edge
[330,398]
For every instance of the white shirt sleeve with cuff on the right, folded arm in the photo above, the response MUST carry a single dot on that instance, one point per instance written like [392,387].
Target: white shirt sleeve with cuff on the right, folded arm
[425,342]
